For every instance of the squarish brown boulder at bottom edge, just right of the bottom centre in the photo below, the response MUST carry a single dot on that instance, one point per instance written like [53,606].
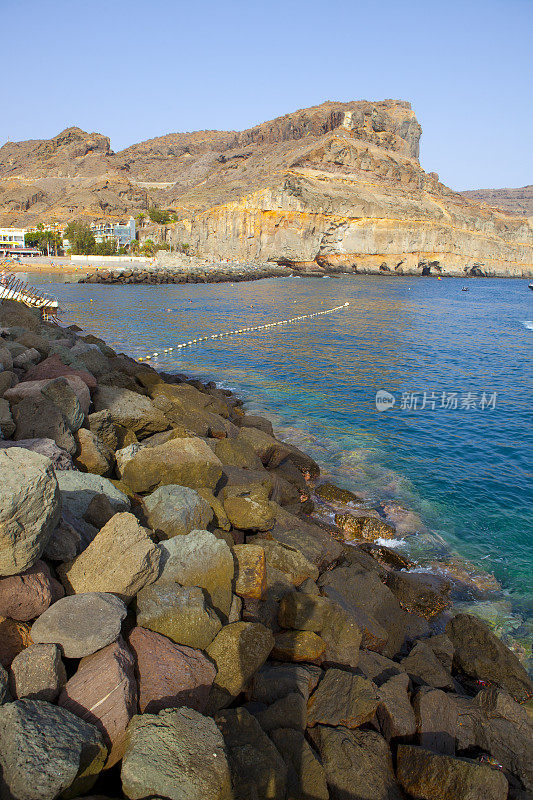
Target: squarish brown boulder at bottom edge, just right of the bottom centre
[357,763]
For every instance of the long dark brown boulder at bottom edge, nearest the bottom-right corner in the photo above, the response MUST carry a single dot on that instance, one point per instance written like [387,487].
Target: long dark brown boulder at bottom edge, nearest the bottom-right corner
[431,776]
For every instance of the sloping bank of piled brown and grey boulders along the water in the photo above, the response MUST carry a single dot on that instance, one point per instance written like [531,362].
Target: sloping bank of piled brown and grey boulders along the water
[174,622]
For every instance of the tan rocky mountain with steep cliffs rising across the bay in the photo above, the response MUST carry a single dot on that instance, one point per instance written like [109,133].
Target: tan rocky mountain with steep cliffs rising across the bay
[338,186]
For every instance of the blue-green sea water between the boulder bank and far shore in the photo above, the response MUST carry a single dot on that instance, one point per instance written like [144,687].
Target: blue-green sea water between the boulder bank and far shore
[451,461]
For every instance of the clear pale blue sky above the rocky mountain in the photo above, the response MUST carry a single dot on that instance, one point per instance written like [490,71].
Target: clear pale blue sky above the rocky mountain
[139,69]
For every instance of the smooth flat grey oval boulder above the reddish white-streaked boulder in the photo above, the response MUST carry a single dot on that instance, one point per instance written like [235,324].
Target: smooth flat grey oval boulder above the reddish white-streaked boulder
[81,624]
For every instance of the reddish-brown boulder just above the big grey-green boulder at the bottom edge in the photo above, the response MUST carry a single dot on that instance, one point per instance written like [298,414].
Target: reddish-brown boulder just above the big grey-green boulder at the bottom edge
[169,675]
